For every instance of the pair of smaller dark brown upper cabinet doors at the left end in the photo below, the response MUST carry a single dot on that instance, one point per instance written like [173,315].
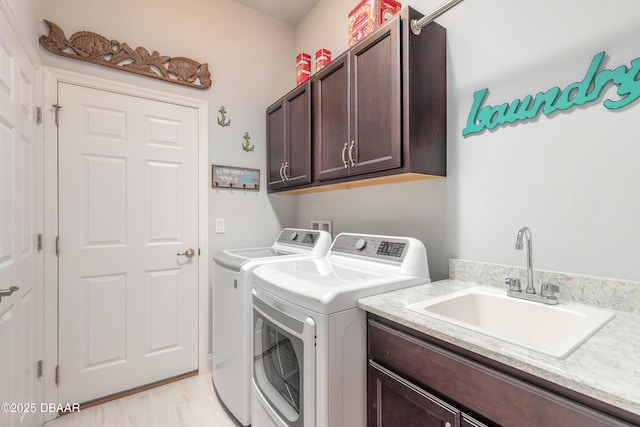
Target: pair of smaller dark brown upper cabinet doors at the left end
[289,140]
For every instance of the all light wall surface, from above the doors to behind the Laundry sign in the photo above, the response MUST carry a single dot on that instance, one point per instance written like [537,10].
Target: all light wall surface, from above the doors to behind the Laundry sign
[569,177]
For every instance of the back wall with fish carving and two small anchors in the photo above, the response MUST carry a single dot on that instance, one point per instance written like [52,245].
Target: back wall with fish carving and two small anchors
[247,54]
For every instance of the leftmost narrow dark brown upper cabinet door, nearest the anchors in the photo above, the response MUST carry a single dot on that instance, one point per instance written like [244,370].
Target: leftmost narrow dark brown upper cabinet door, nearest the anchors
[275,146]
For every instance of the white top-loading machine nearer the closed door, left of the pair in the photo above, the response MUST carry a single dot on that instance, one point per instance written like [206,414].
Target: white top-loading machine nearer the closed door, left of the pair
[231,320]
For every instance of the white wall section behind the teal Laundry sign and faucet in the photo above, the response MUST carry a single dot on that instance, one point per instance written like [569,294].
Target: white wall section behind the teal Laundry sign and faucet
[572,177]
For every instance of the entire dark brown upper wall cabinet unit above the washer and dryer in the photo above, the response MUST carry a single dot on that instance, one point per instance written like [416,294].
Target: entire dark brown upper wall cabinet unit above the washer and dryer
[379,114]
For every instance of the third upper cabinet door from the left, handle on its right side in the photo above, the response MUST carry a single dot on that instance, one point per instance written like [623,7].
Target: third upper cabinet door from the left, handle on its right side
[331,115]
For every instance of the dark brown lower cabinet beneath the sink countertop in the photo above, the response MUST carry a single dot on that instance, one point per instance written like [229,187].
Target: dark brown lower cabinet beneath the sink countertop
[412,381]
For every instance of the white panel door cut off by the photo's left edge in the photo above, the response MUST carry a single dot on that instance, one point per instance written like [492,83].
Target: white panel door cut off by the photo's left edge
[21,219]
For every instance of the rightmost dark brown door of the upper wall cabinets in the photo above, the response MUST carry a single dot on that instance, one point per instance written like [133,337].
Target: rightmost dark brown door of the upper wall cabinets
[376,102]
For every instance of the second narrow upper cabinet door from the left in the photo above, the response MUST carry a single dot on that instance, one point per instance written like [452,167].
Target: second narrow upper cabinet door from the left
[298,136]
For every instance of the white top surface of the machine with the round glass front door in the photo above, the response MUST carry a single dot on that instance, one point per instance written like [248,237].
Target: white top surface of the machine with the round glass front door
[328,287]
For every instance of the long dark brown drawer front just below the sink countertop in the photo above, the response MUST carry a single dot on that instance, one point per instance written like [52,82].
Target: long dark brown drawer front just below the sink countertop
[494,395]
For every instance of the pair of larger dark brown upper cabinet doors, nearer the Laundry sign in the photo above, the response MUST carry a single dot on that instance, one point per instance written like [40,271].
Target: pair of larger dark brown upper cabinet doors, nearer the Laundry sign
[357,104]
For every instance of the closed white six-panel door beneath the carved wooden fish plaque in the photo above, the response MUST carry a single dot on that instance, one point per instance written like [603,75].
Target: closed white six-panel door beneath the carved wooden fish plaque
[128,204]
